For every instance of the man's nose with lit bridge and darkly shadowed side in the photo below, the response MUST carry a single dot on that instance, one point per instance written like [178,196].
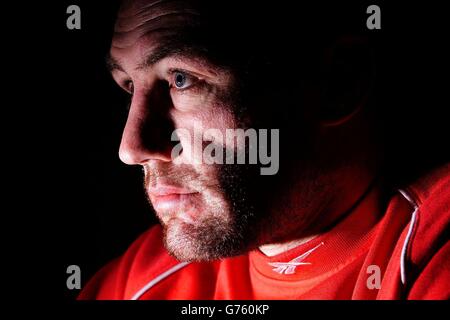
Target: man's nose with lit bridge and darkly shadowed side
[148,129]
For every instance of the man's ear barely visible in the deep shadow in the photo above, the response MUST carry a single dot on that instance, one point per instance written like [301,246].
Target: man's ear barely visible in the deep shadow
[348,75]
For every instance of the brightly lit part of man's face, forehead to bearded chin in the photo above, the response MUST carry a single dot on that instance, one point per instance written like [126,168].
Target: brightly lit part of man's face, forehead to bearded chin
[202,207]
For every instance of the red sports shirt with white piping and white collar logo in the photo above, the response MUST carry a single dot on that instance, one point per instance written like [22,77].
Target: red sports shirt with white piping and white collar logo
[401,254]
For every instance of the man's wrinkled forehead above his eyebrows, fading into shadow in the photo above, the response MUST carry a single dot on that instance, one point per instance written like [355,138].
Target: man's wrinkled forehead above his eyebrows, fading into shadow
[147,26]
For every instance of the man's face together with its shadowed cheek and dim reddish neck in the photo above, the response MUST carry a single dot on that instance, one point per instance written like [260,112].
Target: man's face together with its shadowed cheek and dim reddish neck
[185,95]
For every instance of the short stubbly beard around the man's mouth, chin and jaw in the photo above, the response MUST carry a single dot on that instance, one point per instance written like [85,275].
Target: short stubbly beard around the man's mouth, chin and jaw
[224,223]
